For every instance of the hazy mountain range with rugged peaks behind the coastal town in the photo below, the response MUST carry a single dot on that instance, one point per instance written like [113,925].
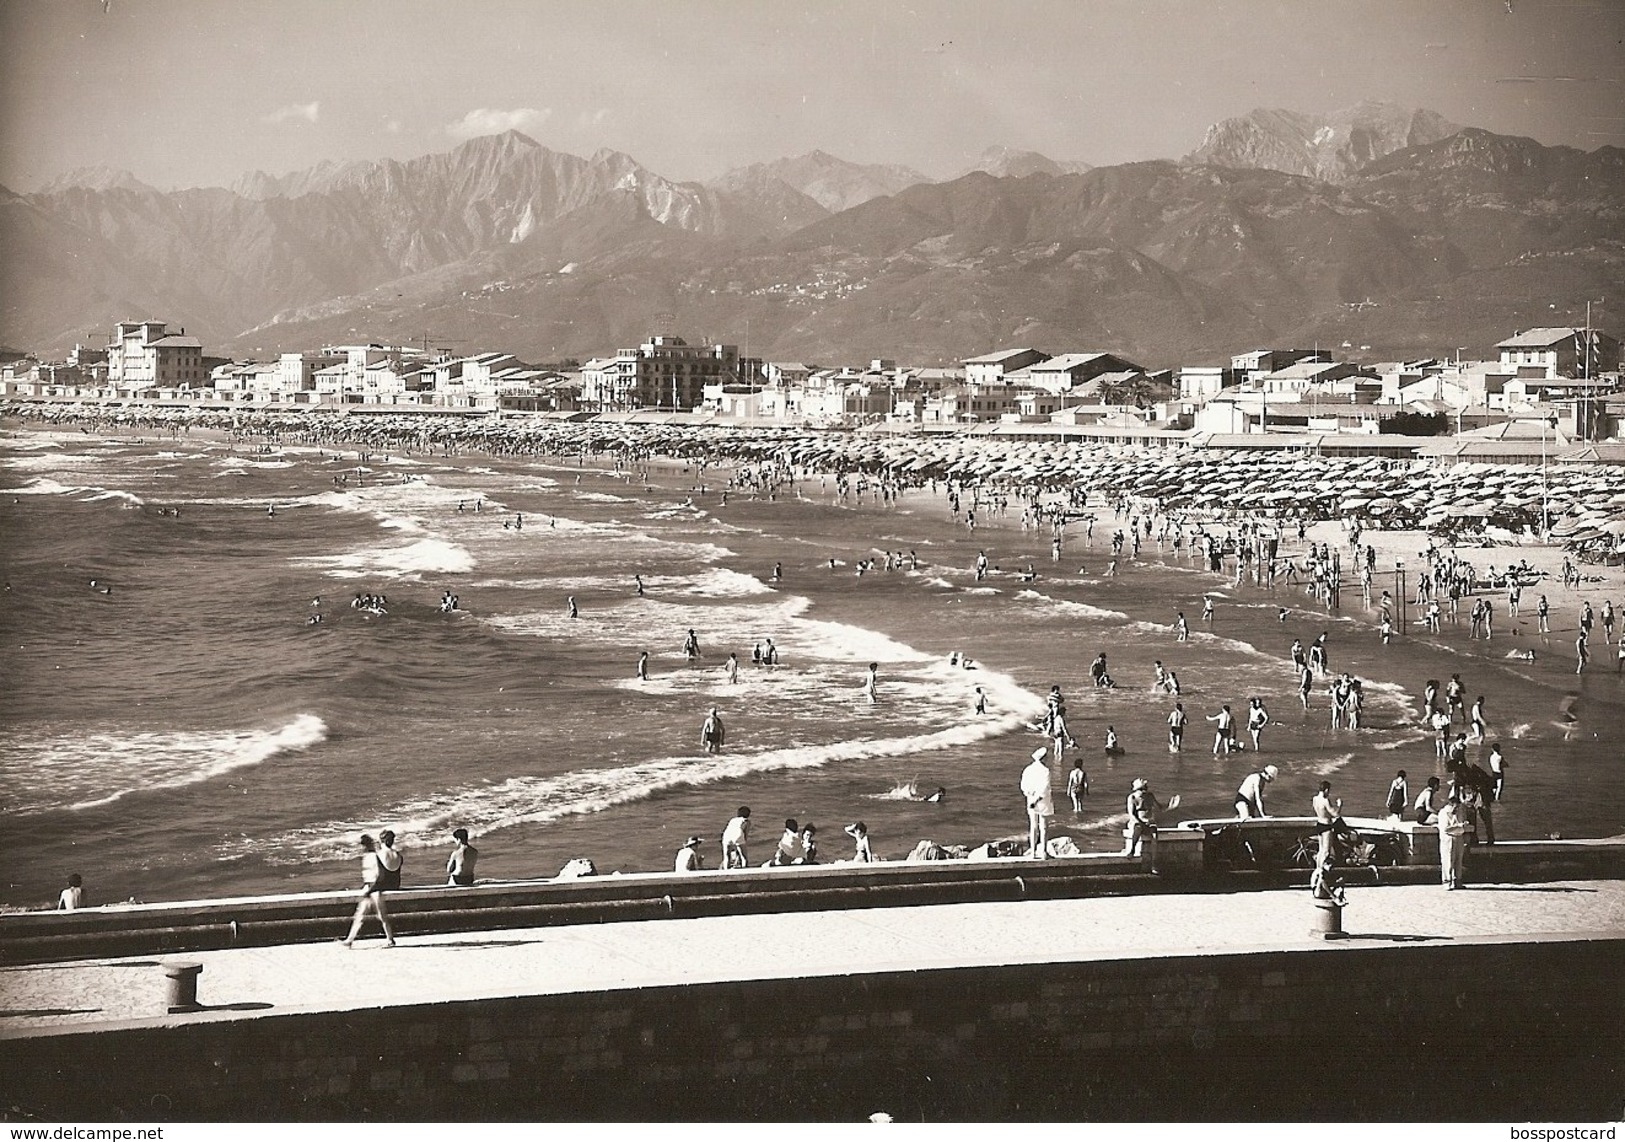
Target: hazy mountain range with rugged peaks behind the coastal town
[1374,227]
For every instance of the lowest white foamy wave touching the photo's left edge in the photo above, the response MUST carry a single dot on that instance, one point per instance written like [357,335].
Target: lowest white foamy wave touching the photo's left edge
[90,771]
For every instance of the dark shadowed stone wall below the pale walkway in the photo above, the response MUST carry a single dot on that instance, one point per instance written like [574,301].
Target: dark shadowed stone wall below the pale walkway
[1408,1031]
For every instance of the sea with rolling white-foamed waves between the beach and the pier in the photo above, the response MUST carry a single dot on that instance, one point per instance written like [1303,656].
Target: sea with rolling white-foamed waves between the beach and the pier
[176,727]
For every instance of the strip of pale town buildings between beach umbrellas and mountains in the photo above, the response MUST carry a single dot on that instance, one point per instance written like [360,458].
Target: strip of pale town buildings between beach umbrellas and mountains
[1540,396]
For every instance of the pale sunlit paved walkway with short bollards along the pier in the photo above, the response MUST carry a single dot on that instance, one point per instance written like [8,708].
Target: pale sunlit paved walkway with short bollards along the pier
[249,984]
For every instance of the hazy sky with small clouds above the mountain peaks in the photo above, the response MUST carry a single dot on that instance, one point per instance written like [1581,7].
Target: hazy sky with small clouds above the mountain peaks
[197,92]
